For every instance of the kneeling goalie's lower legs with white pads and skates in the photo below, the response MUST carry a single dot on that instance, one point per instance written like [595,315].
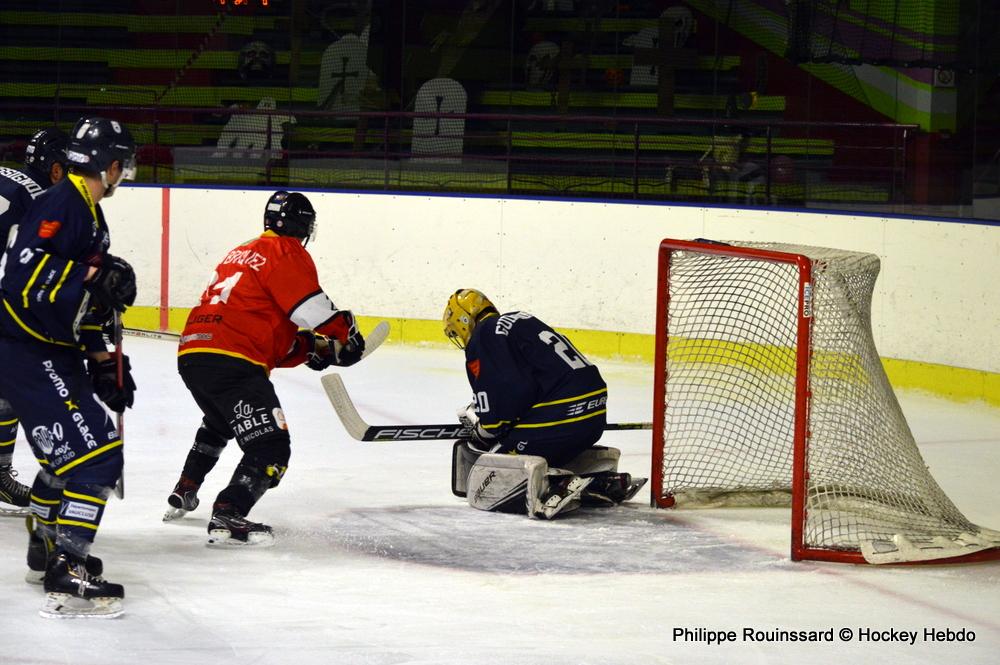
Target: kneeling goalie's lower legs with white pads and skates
[526,484]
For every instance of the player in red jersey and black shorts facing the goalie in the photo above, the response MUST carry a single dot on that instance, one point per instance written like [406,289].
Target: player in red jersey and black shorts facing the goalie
[264,309]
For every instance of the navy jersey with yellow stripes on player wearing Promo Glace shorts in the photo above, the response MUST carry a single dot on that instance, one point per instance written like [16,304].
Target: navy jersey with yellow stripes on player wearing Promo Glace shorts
[43,269]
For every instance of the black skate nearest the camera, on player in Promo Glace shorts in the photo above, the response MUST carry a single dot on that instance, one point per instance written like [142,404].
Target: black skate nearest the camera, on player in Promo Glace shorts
[72,592]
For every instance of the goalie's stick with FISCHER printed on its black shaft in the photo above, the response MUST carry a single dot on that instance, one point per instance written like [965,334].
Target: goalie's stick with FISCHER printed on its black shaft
[362,431]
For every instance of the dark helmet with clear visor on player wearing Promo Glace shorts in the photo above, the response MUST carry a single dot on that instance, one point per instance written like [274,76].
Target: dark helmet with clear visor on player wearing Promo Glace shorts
[95,143]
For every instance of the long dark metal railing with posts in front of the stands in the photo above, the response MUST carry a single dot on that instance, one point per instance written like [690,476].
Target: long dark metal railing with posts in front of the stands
[747,162]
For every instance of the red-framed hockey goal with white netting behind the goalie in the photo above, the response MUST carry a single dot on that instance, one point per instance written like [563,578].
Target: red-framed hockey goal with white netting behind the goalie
[769,391]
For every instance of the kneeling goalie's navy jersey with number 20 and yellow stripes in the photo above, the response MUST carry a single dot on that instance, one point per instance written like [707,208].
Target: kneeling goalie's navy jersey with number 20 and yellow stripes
[526,375]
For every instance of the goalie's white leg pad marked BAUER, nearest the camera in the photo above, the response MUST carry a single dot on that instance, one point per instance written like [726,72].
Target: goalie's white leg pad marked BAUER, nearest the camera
[507,483]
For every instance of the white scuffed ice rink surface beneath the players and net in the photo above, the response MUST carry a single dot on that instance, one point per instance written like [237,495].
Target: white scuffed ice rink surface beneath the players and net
[376,562]
